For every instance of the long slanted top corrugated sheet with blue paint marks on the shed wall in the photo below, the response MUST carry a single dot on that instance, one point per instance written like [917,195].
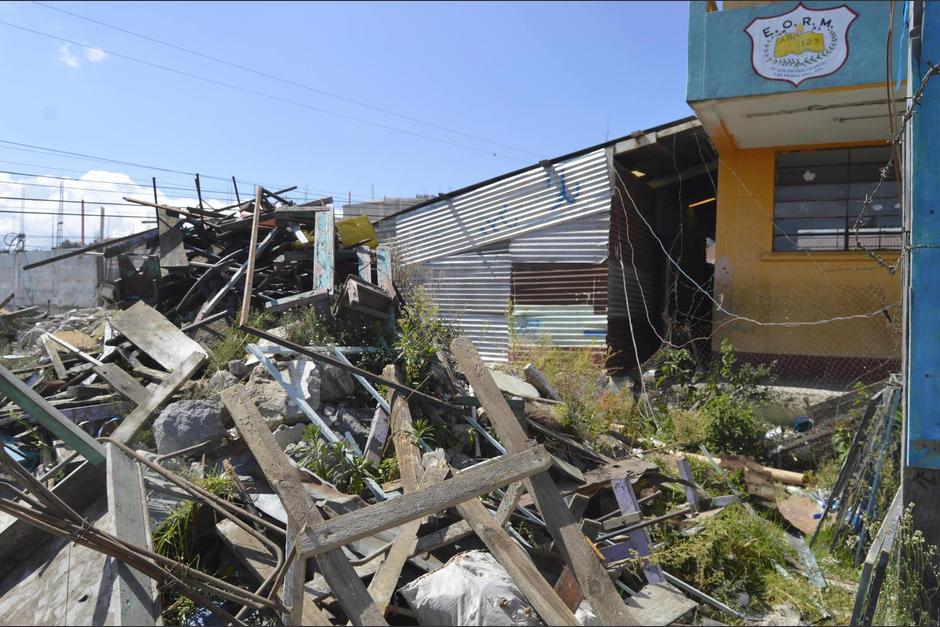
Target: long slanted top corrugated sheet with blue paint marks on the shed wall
[538,198]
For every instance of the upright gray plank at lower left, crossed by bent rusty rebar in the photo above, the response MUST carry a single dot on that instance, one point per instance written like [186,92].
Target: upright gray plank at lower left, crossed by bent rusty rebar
[137,601]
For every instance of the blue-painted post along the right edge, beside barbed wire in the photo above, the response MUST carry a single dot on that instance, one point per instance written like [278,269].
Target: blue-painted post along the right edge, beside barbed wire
[921,476]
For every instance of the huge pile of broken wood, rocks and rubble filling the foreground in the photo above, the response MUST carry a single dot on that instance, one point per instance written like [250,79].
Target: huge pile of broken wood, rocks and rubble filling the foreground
[180,478]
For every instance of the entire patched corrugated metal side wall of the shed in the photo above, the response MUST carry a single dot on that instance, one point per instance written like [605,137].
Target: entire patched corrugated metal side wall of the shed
[542,233]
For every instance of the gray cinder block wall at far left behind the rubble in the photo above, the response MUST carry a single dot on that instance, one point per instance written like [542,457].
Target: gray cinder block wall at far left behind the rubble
[68,283]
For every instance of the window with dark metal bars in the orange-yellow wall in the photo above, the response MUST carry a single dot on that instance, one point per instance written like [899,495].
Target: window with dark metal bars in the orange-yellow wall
[819,196]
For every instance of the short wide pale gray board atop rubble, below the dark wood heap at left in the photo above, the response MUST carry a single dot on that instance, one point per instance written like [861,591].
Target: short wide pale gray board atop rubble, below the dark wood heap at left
[147,329]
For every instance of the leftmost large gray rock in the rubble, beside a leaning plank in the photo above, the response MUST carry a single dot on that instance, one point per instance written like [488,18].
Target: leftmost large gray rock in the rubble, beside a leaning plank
[185,423]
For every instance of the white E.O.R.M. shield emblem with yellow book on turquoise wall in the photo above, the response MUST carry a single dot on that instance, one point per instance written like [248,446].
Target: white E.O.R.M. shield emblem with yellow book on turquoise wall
[801,44]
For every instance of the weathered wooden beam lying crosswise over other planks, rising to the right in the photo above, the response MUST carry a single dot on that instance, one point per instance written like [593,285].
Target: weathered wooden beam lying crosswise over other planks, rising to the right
[470,483]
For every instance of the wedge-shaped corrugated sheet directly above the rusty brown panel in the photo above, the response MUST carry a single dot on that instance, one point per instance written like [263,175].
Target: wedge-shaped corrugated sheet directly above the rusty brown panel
[584,240]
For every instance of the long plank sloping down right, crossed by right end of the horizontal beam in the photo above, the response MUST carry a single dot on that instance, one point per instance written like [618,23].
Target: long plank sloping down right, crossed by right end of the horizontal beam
[590,573]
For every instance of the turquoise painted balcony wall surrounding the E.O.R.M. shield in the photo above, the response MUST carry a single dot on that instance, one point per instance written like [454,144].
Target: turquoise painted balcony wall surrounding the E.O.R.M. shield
[720,50]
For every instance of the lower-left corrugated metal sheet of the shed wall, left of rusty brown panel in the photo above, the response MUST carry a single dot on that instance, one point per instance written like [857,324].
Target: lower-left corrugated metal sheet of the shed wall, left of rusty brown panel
[472,291]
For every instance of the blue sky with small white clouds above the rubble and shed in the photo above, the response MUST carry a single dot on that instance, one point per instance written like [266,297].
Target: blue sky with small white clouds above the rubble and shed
[542,79]
